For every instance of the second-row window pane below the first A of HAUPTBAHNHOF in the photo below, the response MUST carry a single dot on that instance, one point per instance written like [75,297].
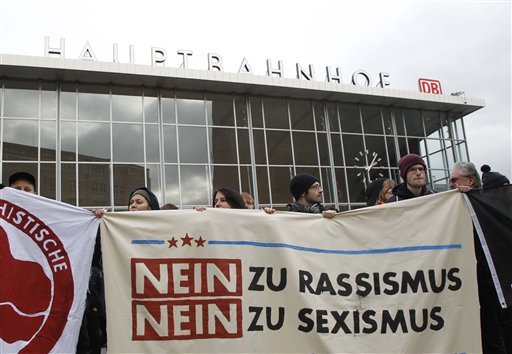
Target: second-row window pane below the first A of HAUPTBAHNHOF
[93,141]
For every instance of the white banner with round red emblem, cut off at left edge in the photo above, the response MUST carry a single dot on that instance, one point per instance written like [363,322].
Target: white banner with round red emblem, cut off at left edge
[45,259]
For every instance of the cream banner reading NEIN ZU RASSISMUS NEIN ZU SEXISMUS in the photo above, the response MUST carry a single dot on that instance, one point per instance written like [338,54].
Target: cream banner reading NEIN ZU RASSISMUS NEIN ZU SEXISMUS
[397,278]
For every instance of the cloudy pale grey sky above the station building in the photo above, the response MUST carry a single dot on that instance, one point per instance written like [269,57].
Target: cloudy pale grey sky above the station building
[466,45]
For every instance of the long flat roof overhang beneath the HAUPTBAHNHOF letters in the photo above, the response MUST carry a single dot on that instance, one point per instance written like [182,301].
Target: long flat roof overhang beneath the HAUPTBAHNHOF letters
[96,72]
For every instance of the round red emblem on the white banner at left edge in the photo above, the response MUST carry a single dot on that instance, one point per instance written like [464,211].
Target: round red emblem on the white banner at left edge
[36,283]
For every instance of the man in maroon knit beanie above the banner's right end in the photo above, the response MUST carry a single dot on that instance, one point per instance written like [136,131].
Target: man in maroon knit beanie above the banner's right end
[413,172]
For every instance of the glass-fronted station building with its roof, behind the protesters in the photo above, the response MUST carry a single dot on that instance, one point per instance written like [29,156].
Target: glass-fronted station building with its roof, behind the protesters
[92,131]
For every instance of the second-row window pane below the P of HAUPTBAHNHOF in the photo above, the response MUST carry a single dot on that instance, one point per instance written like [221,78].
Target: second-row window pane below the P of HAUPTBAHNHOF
[127,143]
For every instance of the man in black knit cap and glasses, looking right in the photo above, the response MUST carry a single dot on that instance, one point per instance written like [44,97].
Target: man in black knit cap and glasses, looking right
[307,191]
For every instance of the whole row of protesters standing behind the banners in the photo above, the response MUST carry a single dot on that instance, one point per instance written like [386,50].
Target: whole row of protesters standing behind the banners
[307,192]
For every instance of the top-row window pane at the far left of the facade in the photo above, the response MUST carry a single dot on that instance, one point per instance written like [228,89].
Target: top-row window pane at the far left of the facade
[21,99]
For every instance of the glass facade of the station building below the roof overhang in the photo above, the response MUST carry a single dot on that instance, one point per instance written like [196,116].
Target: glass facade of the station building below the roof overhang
[90,145]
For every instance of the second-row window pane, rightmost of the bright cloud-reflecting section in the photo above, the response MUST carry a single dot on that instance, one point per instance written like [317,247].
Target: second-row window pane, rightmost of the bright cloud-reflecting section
[193,147]
